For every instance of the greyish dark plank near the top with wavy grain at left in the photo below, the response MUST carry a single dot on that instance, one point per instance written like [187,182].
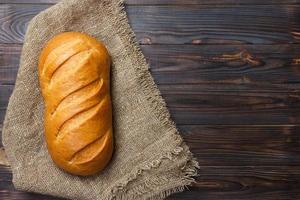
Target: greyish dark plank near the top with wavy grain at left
[198,24]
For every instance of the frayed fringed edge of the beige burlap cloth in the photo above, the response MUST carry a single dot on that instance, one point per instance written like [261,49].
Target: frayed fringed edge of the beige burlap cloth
[157,102]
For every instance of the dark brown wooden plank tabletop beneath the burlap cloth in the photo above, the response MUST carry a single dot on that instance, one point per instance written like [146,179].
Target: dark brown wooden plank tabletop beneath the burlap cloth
[229,71]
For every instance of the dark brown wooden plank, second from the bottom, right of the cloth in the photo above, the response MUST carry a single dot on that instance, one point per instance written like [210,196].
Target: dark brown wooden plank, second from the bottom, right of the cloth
[243,145]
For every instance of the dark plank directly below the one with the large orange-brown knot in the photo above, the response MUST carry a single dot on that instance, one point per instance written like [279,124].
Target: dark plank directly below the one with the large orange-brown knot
[210,107]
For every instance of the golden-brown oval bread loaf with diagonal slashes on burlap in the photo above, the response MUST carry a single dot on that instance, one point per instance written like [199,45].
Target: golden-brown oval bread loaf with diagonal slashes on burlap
[74,75]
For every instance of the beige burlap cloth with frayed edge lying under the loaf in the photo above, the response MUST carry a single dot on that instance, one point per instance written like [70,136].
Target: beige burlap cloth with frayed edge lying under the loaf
[150,160]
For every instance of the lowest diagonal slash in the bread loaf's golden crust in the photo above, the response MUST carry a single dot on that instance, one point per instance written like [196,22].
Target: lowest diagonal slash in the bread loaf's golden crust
[76,155]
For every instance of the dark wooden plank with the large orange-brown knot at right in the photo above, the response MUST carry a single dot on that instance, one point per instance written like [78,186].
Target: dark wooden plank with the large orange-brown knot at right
[258,66]
